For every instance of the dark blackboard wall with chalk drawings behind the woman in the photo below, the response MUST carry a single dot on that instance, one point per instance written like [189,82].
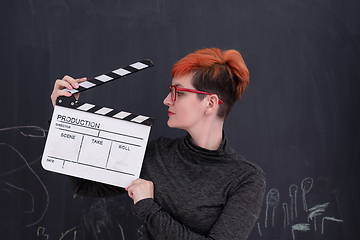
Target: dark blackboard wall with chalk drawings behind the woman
[299,119]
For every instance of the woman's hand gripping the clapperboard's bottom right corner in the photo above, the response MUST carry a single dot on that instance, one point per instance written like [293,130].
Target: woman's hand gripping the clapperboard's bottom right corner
[140,189]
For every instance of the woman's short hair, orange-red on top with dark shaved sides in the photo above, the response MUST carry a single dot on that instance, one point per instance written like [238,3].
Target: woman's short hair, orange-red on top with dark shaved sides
[220,72]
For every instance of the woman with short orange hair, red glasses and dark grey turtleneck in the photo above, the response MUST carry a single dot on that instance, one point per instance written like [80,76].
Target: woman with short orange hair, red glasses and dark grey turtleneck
[195,187]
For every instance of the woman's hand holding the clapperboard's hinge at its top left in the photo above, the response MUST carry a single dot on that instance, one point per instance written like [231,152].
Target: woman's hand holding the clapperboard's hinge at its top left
[67,82]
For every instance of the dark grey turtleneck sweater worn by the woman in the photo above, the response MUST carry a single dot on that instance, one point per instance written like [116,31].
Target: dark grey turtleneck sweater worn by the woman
[198,193]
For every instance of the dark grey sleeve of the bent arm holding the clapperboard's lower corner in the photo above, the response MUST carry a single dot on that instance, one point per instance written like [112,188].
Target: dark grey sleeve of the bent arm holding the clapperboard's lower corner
[235,221]
